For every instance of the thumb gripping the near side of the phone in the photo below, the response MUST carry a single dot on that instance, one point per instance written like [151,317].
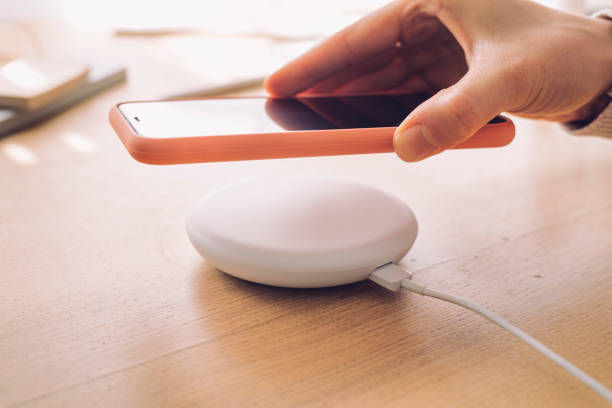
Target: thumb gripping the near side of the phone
[448,118]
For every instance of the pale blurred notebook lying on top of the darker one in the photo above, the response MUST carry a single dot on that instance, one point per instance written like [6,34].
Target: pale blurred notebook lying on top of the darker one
[30,83]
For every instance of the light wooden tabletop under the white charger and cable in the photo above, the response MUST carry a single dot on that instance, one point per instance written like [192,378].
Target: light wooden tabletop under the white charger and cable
[103,301]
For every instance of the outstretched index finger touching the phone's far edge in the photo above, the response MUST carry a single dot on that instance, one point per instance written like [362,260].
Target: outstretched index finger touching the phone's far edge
[356,43]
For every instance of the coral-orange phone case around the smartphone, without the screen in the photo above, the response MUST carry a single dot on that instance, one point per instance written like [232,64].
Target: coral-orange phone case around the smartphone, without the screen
[291,143]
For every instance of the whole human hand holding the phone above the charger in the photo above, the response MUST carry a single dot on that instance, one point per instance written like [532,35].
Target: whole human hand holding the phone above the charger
[478,58]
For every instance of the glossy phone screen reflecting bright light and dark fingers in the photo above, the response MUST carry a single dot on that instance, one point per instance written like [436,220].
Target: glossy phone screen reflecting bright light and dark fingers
[231,116]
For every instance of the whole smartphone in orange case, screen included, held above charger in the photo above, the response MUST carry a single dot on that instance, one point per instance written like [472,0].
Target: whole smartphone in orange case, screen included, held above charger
[250,128]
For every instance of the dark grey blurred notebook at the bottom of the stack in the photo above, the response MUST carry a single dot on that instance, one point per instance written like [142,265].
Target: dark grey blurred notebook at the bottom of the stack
[98,79]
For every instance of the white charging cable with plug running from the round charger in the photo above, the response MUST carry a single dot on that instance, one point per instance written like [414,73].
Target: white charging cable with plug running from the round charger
[394,277]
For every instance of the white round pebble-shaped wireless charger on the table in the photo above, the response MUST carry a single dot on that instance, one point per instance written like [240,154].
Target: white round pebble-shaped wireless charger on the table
[301,231]
